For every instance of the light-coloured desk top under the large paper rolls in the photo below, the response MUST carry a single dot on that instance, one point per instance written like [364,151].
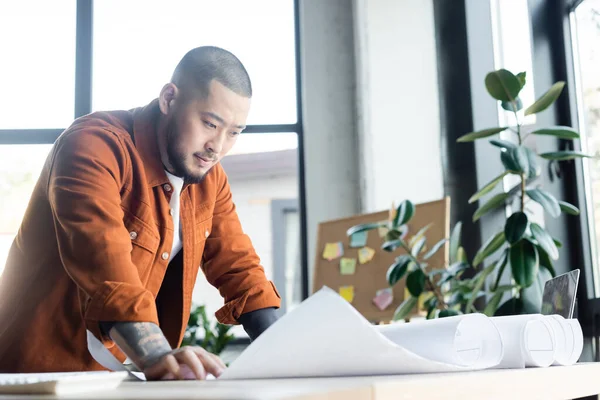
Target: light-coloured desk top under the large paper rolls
[533,383]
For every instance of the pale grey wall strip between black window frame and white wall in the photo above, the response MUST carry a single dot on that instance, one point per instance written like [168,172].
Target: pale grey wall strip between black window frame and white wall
[328,86]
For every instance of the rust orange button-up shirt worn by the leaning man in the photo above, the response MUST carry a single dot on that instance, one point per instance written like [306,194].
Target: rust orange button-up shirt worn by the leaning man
[95,243]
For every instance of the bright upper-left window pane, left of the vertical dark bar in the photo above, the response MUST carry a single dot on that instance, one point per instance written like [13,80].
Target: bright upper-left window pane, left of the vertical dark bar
[38,63]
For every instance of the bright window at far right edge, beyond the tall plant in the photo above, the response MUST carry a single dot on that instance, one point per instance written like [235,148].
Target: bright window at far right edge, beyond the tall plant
[585,21]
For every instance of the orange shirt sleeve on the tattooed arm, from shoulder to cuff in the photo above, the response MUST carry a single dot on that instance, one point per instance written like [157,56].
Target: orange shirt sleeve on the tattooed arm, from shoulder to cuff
[84,189]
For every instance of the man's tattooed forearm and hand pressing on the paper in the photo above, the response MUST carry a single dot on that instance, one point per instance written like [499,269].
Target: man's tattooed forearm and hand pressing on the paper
[145,344]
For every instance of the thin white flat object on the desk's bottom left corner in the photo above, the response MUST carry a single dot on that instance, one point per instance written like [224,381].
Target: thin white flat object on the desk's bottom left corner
[60,383]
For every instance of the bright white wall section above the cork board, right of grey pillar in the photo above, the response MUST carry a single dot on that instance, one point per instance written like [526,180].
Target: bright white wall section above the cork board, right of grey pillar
[399,129]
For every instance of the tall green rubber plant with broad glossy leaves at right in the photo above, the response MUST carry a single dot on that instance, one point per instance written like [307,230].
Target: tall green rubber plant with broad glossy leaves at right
[521,245]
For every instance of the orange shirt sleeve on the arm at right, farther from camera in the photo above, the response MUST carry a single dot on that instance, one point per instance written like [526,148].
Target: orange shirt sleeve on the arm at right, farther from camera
[231,263]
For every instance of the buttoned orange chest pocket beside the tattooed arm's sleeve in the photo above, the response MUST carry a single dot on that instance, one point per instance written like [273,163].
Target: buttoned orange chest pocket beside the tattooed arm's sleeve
[144,244]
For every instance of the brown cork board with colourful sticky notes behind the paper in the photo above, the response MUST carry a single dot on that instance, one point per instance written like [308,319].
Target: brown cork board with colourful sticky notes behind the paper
[370,277]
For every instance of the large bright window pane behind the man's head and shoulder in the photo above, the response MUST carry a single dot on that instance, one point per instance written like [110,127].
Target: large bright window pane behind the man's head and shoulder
[137,48]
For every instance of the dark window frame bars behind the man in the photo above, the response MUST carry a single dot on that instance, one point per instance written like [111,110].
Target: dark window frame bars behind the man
[83,105]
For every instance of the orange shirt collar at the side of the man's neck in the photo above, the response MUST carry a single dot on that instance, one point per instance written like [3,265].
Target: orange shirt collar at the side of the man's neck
[145,122]
